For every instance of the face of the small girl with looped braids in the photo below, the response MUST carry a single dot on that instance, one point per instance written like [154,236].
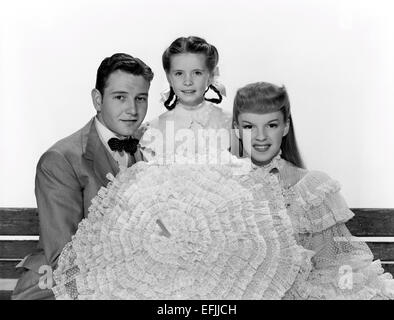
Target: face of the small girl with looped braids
[189,77]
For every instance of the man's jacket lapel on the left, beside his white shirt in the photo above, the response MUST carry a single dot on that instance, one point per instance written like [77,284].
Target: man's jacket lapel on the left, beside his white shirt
[102,161]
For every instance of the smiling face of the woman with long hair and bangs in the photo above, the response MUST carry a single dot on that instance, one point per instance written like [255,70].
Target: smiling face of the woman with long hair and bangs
[262,135]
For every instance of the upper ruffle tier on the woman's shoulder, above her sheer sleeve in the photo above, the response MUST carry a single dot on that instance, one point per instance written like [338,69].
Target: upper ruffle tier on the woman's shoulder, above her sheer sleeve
[318,203]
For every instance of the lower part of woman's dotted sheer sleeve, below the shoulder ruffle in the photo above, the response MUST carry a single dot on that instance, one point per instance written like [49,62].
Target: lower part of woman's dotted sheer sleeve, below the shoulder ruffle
[343,269]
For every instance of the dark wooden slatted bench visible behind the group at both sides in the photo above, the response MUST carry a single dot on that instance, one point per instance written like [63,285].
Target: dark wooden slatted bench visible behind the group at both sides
[19,236]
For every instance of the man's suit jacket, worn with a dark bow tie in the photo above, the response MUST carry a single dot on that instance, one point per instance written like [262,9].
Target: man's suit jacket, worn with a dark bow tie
[68,176]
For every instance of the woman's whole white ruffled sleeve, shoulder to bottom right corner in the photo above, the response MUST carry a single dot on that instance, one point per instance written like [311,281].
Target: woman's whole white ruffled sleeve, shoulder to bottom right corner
[343,266]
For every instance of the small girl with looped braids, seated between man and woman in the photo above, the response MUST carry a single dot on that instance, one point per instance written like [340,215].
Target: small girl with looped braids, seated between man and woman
[190,65]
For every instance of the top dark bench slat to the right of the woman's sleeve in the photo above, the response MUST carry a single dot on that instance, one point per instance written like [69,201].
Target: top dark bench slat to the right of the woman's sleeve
[372,223]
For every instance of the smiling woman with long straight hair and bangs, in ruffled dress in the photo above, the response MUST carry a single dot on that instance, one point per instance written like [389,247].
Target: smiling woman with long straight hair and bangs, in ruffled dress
[343,267]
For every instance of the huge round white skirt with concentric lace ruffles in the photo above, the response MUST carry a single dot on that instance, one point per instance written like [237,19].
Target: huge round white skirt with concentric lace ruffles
[183,232]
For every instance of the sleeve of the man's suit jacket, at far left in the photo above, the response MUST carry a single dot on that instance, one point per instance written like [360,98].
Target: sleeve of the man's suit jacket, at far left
[60,203]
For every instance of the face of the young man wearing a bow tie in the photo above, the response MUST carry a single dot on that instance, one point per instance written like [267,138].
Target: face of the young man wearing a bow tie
[123,106]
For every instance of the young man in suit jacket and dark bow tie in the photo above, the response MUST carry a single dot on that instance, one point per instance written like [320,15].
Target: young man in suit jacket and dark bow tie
[72,171]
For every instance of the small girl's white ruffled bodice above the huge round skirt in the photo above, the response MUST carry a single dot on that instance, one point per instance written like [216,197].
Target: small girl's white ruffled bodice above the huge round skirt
[186,132]
